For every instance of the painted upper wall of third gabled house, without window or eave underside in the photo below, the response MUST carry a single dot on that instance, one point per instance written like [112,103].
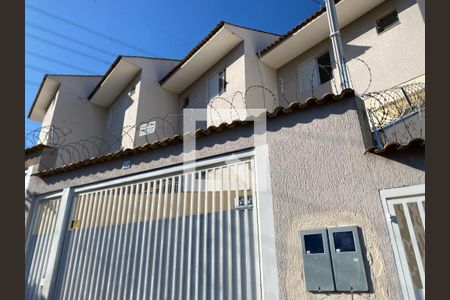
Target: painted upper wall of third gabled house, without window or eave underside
[246,80]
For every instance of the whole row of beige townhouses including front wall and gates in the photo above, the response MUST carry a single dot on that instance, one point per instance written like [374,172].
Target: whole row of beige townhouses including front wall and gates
[296,189]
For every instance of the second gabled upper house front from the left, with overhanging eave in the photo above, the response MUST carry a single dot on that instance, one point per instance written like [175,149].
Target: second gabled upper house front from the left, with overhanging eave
[131,96]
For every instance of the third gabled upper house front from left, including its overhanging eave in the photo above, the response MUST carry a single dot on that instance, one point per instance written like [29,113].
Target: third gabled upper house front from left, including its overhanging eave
[223,73]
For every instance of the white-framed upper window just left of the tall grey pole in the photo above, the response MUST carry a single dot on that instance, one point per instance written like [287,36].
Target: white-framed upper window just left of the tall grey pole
[315,71]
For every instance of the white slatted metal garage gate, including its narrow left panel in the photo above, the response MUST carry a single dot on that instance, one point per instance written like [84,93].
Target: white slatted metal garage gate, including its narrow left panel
[190,235]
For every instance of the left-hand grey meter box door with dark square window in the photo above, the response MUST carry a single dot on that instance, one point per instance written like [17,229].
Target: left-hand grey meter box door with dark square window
[316,260]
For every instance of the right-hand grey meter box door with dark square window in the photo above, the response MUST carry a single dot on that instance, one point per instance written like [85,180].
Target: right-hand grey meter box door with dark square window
[348,263]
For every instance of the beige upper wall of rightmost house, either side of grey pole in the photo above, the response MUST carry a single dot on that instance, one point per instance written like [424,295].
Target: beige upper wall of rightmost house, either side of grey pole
[377,61]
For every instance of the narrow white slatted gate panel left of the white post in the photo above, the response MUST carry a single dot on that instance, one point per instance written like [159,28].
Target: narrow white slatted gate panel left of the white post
[38,246]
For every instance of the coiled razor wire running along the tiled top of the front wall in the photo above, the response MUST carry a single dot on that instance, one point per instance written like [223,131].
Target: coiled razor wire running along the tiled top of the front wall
[159,128]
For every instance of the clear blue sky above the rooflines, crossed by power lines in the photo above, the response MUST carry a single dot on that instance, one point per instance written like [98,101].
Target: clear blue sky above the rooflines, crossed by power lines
[85,36]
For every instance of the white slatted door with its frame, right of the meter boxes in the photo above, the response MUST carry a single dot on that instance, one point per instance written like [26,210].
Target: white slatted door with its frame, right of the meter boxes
[405,209]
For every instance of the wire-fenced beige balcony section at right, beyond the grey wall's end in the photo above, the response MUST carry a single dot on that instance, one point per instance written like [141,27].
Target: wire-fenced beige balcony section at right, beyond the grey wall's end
[396,115]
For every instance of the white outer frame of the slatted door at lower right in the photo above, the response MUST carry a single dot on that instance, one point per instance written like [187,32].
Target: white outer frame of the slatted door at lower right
[388,195]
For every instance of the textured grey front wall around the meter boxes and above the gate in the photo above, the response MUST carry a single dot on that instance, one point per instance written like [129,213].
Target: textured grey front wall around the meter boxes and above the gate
[320,178]
